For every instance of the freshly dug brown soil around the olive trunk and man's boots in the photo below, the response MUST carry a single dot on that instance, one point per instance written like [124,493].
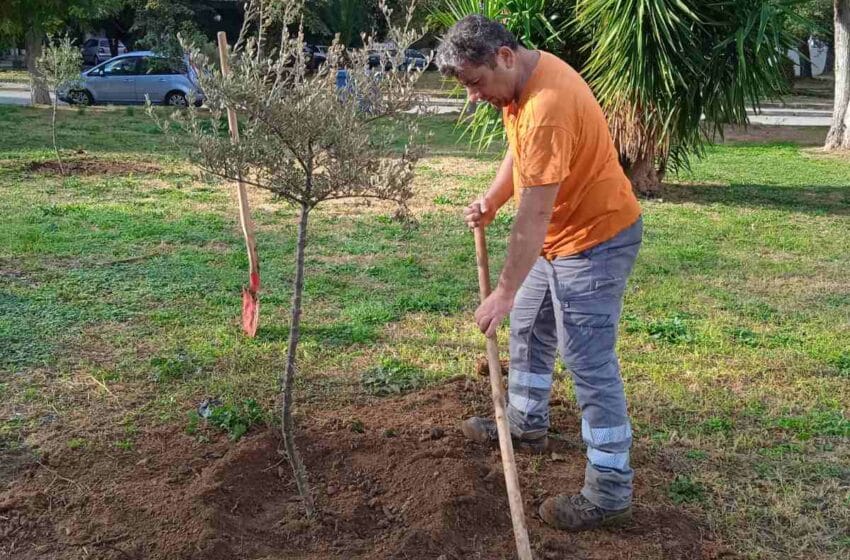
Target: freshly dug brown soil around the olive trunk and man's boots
[402,485]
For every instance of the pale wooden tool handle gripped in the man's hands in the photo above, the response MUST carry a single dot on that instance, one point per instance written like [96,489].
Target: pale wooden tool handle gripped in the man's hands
[505,444]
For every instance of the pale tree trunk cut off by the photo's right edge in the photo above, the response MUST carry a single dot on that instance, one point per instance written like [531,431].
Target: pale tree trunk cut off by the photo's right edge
[839,132]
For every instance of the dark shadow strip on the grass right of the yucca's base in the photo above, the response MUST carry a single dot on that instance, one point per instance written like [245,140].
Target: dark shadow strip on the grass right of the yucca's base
[815,200]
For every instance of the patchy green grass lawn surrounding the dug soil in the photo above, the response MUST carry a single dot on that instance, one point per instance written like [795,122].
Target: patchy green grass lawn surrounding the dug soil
[734,343]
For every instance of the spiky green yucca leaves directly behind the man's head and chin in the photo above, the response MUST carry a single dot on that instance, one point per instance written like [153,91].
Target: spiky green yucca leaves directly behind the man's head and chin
[537,24]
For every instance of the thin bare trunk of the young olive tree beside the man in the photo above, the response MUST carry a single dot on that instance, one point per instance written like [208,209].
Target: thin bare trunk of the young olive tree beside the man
[295,461]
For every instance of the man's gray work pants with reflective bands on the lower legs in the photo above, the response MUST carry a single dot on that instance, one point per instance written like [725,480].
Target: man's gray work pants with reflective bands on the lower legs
[572,305]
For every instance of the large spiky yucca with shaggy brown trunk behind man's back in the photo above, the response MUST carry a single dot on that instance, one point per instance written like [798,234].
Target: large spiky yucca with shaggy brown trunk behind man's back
[670,73]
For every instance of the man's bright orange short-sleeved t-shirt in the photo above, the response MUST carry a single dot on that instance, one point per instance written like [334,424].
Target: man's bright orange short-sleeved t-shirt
[558,134]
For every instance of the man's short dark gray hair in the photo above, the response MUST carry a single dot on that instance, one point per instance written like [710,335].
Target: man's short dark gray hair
[474,40]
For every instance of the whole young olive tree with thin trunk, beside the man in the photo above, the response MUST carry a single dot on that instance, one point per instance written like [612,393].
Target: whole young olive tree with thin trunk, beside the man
[338,133]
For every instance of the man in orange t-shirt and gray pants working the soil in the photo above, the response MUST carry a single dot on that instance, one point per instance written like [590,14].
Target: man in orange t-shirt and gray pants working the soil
[574,241]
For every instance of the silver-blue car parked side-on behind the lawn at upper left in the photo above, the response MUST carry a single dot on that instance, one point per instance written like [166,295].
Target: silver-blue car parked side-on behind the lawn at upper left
[128,79]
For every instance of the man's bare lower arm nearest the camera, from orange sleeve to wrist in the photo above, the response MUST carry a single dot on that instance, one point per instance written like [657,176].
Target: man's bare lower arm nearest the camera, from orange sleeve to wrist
[527,235]
